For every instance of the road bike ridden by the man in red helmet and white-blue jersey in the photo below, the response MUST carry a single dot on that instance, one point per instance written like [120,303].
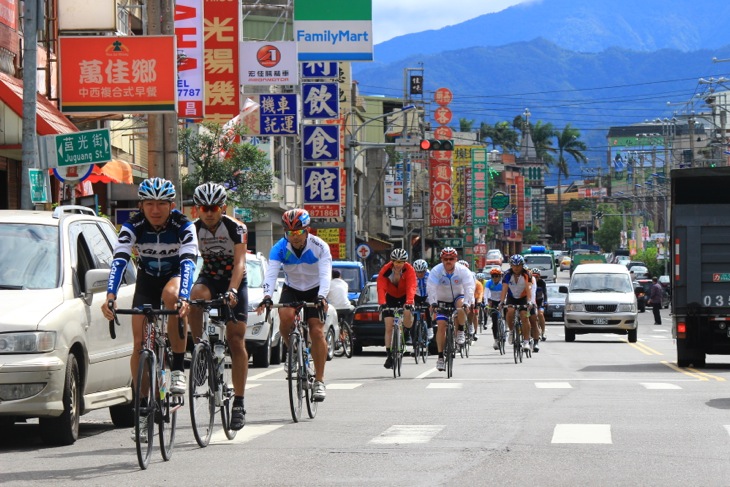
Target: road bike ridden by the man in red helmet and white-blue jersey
[299,362]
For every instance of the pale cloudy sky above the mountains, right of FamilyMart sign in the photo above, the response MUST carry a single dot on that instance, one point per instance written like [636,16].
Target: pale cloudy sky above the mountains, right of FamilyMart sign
[392,18]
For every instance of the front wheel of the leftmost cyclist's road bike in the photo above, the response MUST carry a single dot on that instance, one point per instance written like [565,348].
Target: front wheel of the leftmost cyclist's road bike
[144,388]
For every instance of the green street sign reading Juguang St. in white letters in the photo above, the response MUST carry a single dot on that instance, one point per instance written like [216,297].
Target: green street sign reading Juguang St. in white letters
[77,148]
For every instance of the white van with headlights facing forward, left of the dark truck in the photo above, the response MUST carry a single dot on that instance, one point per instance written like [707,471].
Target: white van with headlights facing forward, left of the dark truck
[600,299]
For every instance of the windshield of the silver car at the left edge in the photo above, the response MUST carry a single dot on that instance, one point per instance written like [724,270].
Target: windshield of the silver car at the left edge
[31,256]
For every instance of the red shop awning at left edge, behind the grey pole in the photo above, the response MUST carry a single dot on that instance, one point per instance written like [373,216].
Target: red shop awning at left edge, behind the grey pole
[49,120]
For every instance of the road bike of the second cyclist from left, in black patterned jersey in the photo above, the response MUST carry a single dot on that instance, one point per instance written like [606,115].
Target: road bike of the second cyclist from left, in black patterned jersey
[211,382]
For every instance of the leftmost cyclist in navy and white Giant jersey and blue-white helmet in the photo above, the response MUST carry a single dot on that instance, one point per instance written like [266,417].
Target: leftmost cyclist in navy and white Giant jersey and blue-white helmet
[167,245]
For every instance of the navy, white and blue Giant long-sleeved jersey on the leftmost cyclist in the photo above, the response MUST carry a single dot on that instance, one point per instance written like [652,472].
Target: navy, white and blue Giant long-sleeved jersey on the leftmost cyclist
[165,253]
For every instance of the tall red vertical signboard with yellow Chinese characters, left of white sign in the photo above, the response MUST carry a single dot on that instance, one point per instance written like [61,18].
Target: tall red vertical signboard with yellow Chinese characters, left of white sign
[221,41]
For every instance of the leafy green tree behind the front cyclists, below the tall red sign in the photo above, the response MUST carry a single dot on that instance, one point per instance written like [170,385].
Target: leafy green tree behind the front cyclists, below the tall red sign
[216,157]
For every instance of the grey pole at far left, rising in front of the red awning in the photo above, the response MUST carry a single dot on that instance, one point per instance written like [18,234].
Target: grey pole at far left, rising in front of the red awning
[32,20]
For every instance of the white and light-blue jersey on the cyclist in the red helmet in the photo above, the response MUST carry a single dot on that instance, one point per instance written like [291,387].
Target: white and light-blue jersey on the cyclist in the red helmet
[303,270]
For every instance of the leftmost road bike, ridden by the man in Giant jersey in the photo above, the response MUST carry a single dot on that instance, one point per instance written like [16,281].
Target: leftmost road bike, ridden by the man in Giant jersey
[151,397]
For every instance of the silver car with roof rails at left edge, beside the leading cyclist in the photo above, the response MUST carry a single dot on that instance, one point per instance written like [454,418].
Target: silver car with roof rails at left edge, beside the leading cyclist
[57,359]
